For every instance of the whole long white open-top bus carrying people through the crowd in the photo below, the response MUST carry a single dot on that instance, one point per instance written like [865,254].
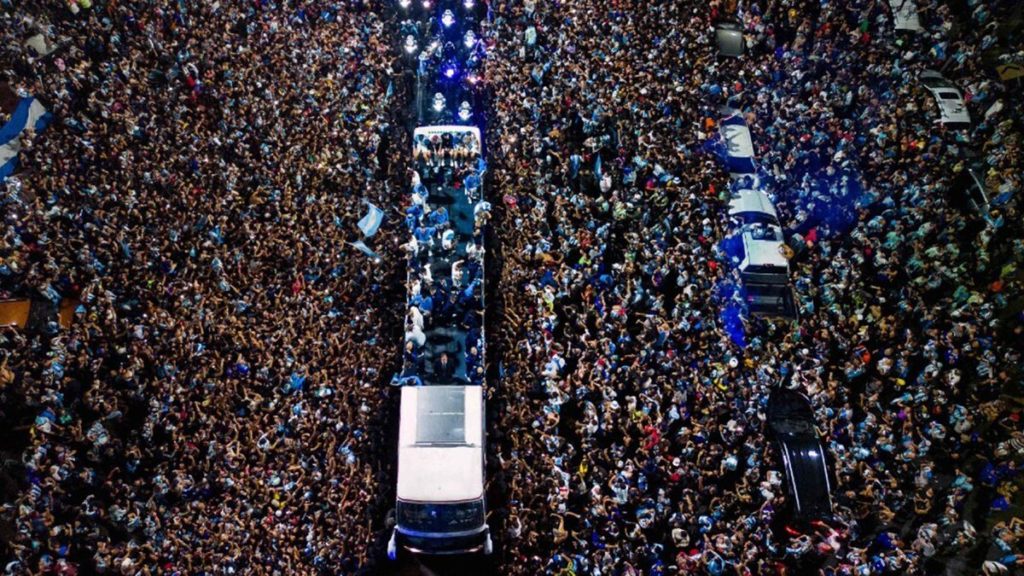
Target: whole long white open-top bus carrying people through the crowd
[441,490]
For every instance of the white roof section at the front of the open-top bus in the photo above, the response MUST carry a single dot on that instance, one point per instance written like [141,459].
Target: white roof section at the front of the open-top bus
[441,444]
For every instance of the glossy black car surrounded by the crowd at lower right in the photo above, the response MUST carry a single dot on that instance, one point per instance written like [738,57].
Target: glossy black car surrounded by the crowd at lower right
[791,425]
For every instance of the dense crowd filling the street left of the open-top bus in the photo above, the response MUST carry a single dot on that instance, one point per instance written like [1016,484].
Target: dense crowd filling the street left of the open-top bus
[212,407]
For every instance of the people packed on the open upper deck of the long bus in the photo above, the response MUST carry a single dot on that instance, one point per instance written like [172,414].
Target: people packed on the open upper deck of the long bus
[445,323]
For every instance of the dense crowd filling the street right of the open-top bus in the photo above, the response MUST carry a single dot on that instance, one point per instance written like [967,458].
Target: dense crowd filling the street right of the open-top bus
[630,436]
